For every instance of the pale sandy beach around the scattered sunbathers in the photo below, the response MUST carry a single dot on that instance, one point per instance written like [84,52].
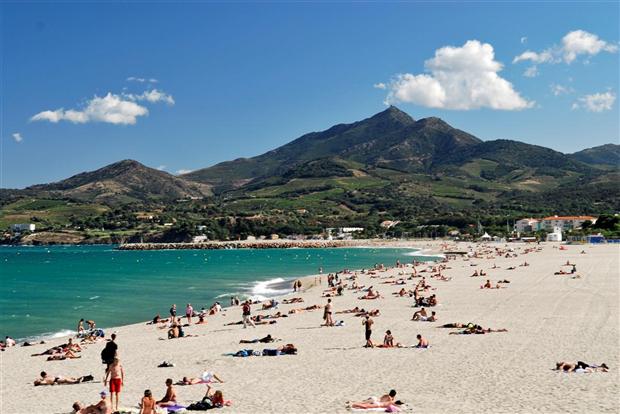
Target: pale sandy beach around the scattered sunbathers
[549,318]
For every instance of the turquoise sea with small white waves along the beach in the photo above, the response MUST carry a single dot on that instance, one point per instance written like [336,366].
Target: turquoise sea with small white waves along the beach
[44,291]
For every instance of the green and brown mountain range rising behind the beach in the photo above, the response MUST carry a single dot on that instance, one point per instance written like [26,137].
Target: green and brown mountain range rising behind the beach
[388,163]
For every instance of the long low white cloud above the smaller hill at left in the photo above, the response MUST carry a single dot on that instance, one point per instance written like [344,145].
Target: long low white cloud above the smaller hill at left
[111,108]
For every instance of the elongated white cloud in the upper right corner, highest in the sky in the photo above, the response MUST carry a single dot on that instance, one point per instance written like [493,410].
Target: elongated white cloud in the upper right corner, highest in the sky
[574,44]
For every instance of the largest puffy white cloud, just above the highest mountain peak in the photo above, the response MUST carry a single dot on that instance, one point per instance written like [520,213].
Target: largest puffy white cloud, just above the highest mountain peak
[460,78]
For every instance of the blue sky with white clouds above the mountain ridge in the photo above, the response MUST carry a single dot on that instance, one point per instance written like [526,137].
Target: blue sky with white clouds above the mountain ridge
[236,80]
